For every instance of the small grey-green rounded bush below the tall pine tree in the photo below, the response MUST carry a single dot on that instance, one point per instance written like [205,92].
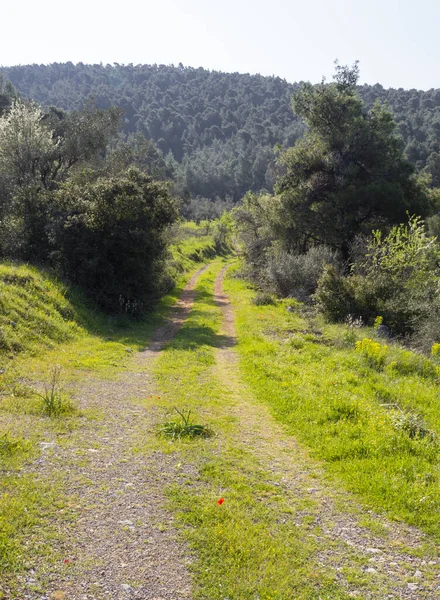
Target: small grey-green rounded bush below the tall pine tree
[297,275]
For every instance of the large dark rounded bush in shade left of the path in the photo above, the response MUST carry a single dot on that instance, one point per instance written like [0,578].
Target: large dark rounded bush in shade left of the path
[109,238]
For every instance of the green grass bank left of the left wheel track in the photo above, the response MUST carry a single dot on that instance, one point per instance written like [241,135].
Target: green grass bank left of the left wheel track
[47,327]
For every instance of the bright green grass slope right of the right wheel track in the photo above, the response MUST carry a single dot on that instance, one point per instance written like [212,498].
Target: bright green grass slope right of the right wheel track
[342,404]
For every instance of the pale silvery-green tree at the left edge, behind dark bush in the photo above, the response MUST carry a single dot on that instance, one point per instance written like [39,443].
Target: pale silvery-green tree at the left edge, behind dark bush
[37,151]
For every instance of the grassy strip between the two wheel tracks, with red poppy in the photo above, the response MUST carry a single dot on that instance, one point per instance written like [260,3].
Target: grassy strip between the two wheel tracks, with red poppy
[248,546]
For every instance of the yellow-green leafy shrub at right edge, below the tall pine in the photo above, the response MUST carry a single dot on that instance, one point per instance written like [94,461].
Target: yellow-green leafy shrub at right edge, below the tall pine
[397,278]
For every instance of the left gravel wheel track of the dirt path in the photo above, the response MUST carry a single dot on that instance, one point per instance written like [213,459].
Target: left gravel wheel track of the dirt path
[121,545]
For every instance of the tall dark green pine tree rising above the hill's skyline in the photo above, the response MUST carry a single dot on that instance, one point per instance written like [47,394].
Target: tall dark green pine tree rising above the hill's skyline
[347,175]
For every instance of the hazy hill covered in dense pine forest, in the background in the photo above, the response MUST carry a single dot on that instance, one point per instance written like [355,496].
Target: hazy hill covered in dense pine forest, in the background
[217,130]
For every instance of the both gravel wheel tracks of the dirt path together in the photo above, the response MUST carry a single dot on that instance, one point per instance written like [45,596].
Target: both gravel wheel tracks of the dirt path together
[123,544]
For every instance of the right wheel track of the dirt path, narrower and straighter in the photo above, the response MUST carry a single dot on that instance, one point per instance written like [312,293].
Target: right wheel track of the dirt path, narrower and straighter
[378,558]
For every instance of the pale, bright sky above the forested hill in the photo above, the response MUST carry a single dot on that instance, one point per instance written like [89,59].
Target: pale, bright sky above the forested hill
[395,41]
